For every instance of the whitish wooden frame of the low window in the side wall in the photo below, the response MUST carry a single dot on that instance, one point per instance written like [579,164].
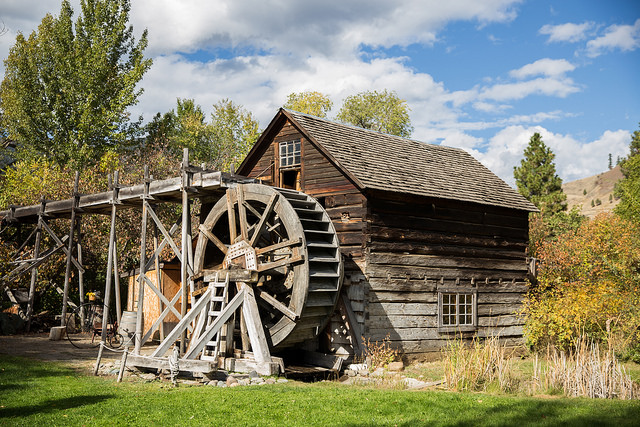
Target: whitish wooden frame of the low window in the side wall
[444,310]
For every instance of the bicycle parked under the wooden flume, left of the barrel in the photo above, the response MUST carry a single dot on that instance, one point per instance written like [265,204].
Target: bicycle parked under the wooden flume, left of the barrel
[86,321]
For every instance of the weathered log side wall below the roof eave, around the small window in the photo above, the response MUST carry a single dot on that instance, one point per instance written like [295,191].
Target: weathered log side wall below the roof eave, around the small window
[418,249]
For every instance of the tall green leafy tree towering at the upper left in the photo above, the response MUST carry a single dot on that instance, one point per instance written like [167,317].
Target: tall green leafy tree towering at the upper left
[67,87]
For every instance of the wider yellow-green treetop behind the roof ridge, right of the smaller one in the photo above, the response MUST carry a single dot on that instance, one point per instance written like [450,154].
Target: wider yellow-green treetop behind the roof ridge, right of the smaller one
[380,111]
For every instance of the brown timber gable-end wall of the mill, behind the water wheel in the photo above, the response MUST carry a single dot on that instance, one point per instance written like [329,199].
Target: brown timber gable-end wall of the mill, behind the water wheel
[346,206]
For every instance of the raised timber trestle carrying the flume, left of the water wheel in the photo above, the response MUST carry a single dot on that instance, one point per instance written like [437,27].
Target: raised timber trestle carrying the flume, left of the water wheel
[194,183]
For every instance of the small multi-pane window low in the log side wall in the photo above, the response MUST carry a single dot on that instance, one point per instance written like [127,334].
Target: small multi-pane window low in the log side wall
[457,310]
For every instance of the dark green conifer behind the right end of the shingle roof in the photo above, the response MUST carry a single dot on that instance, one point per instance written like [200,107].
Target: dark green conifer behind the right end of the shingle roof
[537,180]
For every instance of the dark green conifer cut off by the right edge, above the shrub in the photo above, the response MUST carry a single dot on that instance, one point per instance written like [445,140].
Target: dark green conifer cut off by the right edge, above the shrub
[628,188]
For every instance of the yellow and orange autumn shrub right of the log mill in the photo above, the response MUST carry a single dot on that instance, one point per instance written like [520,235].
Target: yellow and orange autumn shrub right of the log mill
[588,283]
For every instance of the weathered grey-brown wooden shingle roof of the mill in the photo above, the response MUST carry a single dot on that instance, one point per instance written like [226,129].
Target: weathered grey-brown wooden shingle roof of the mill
[378,161]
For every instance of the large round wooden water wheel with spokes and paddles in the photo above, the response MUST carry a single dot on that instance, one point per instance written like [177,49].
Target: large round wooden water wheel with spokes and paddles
[288,244]
